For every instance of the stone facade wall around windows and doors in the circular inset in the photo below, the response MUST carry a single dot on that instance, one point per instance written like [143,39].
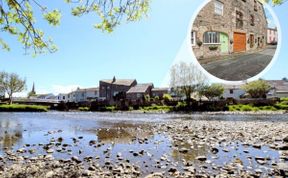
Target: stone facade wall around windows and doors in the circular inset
[208,20]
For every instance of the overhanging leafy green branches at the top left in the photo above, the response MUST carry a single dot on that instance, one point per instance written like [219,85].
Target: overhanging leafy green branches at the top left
[17,18]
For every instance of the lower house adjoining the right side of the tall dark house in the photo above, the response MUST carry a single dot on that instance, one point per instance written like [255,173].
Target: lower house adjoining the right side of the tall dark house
[139,91]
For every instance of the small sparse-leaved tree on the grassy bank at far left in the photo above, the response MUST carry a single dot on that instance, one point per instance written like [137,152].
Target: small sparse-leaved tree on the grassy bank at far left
[11,83]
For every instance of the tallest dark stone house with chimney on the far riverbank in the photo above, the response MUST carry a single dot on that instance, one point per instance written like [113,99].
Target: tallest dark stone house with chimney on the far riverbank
[115,89]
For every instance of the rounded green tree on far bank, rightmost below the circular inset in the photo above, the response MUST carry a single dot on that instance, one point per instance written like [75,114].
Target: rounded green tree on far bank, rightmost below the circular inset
[257,89]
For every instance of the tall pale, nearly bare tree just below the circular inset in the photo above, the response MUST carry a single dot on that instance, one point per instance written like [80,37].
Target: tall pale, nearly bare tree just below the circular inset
[185,78]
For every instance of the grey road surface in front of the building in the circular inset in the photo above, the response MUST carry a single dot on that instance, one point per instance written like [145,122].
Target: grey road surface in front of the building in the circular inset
[237,67]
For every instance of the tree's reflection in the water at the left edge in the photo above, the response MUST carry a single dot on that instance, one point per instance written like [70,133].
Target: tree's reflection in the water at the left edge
[10,133]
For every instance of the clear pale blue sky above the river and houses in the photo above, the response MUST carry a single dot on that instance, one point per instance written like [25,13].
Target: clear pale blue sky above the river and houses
[143,50]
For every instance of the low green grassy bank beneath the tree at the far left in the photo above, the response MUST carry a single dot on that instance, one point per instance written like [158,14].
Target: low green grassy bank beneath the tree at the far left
[22,108]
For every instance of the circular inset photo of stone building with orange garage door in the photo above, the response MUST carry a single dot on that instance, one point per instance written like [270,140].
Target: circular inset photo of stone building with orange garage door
[234,40]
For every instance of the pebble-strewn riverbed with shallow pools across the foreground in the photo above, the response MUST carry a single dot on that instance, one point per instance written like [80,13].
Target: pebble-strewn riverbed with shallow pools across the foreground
[230,149]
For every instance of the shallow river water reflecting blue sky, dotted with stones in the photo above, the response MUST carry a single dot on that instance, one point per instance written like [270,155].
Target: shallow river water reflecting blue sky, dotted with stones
[124,133]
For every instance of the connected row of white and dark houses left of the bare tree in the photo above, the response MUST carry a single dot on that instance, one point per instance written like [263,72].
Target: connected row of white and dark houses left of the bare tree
[113,90]
